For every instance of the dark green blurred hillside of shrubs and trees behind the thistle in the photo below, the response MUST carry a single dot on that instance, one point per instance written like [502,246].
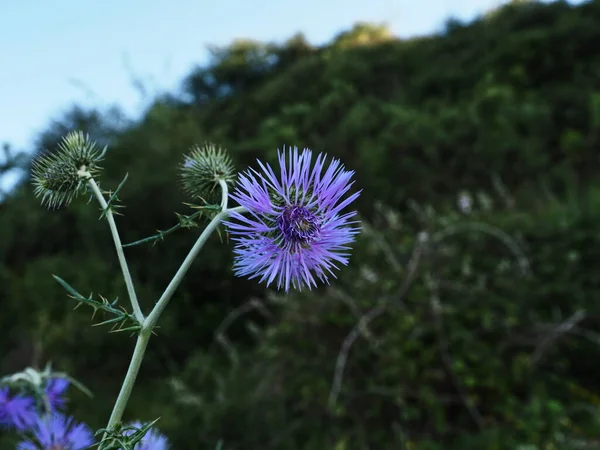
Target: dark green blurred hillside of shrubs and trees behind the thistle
[466,328]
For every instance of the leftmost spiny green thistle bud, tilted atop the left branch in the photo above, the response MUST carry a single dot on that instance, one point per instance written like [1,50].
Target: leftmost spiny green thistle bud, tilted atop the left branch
[60,176]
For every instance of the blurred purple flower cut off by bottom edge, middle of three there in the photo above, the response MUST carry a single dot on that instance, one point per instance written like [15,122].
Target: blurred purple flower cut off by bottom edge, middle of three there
[58,432]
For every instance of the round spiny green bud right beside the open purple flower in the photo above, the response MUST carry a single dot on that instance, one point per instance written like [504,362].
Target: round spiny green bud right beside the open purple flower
[202,170]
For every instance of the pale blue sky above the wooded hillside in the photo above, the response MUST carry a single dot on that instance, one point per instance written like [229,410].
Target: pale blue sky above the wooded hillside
[60,52]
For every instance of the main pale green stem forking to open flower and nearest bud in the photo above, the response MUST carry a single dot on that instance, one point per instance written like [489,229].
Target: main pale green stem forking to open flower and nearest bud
[150,321]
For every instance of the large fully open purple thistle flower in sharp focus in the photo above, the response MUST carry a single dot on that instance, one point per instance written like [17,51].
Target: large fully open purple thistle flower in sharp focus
[294,229]
